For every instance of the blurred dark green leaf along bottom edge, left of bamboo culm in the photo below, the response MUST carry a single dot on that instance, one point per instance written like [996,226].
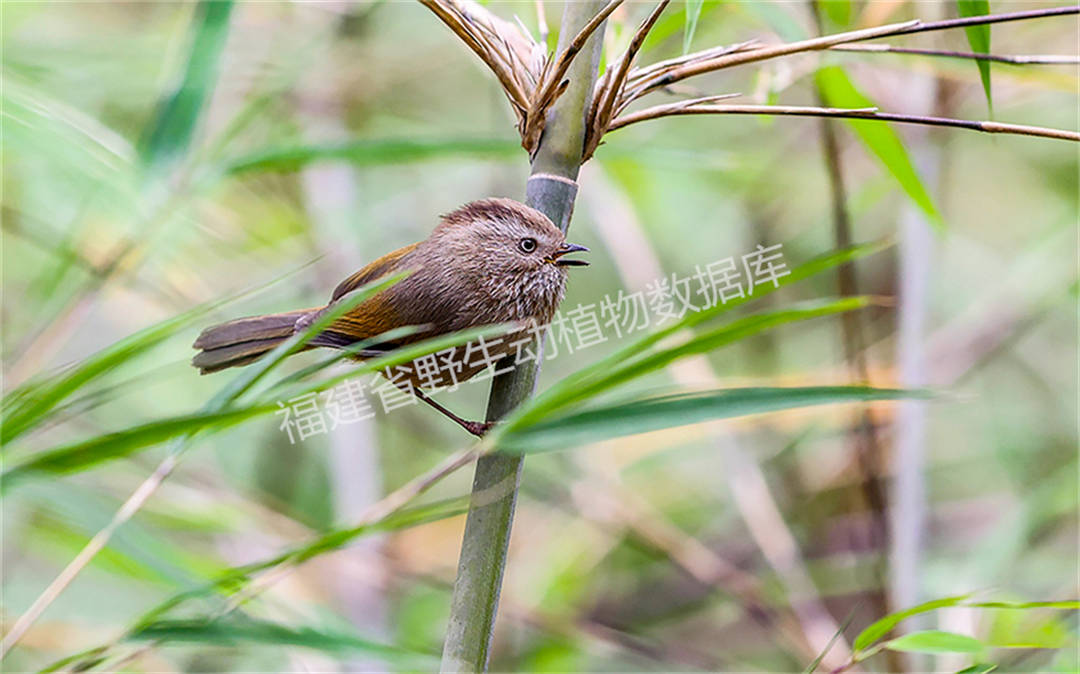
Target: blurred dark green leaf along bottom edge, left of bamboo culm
[234,630]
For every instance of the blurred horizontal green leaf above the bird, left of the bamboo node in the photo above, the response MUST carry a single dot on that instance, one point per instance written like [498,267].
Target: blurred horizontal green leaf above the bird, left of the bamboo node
[374,153]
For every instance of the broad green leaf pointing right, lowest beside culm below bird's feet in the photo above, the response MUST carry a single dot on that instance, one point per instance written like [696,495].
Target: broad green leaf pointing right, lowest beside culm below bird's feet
[665,412]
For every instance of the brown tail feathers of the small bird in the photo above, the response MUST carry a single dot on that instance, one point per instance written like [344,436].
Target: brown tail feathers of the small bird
[244,341]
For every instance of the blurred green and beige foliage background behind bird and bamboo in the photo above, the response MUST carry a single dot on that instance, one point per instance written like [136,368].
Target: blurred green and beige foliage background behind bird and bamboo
[161,156]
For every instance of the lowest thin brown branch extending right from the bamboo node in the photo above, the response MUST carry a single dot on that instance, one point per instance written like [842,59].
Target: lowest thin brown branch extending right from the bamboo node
[863,114]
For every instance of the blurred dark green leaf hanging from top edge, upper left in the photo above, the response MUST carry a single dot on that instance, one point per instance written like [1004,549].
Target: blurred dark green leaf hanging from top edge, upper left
[169,137]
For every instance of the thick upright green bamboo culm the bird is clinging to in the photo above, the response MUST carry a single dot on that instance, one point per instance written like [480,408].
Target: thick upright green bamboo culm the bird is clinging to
[551,190]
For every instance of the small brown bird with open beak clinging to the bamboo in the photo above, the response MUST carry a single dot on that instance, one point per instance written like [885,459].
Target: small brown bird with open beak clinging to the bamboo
[494,261]
